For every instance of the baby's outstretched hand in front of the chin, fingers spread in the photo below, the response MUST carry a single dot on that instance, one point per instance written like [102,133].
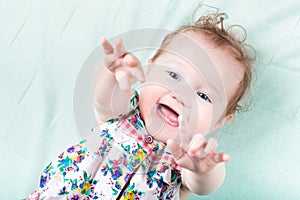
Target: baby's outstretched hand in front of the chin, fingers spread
[199,156]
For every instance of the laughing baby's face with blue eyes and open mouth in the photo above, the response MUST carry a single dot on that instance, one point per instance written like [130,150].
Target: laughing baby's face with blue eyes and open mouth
[192,78]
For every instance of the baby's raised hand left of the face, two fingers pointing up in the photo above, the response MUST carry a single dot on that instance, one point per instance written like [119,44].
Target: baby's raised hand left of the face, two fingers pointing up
[126,67]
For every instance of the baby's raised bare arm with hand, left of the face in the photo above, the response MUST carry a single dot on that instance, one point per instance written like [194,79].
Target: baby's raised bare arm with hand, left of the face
[112,92]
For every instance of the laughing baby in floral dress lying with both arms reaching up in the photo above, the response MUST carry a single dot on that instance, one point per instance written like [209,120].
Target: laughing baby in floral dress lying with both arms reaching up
[157,149]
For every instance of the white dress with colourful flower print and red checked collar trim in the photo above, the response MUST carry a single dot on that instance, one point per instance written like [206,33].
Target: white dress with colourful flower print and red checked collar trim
[127,163]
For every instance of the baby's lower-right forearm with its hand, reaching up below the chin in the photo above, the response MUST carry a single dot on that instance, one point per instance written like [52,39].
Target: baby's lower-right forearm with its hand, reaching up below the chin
[203,170]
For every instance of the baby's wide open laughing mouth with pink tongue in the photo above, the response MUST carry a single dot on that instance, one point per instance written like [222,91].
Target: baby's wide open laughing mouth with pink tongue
[168,115]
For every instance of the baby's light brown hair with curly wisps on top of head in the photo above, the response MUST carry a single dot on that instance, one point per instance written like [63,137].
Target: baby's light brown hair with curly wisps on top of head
[211,26]
